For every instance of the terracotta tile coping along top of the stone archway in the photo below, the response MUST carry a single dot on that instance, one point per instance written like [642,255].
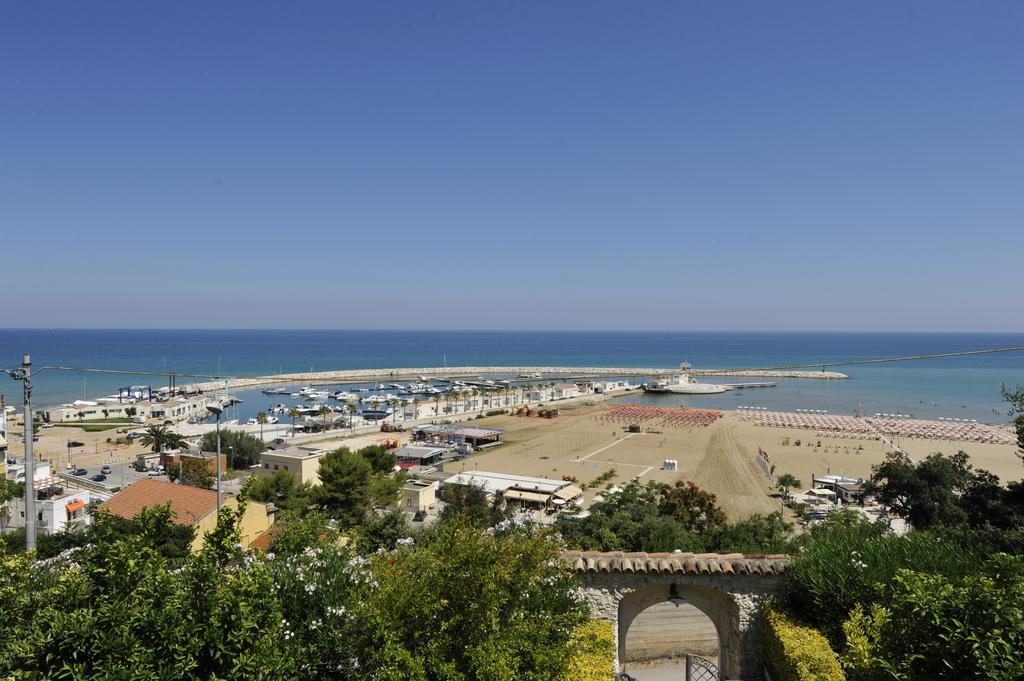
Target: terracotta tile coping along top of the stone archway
[677,564]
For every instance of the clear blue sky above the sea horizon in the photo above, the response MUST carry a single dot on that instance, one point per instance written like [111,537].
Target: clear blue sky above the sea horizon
[678,165]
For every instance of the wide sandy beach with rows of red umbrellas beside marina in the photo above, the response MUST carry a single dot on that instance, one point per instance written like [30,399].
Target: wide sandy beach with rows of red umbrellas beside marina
[719,458]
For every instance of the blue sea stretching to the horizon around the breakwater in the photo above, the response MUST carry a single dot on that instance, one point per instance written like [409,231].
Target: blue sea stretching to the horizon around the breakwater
[960,388]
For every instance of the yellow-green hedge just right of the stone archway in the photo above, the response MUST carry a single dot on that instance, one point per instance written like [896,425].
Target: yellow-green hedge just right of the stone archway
[797,653]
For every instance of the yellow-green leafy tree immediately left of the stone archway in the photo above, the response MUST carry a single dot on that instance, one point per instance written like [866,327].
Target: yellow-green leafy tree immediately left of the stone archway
[503,602]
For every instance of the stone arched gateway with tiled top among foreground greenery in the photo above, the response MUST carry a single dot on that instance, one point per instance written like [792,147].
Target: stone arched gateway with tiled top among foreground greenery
[729,588]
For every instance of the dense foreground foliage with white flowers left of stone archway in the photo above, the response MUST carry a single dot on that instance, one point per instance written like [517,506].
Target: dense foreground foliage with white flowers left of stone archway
[458,604]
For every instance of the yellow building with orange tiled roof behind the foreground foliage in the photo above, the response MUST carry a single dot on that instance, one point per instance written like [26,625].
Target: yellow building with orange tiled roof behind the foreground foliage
[192,506]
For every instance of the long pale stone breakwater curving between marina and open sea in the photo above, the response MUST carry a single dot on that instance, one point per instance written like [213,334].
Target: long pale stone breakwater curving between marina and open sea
[365,375]
